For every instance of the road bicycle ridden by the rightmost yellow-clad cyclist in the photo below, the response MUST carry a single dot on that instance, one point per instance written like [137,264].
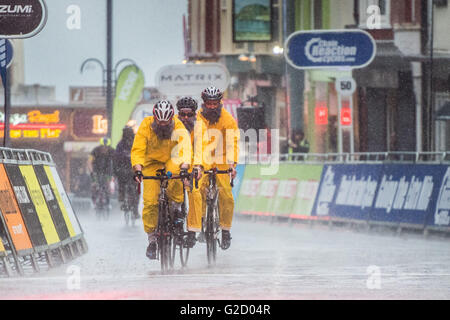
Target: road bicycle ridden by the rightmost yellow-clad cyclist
[211,224]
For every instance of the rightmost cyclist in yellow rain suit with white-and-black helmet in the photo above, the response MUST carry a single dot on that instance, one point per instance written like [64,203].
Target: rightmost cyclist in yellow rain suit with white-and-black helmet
[222,129]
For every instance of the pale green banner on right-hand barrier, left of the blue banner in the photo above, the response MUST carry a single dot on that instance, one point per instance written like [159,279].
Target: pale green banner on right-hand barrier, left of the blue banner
[290,193]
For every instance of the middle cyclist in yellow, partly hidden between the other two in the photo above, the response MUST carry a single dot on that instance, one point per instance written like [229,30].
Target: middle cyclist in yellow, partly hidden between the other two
[187,108]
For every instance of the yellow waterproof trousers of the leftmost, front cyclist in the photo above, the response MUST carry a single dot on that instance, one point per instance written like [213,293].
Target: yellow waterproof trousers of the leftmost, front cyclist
[152,191]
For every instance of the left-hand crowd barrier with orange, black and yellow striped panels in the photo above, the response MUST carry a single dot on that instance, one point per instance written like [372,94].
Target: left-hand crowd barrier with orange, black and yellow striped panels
[38,226]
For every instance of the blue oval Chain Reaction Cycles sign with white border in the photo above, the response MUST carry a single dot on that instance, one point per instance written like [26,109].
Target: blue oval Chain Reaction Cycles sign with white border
[350,48]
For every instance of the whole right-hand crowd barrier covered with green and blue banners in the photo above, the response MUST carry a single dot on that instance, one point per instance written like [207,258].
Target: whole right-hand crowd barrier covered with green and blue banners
[400,195]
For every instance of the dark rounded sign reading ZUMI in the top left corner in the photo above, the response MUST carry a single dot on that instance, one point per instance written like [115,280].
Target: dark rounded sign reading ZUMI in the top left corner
[22,18]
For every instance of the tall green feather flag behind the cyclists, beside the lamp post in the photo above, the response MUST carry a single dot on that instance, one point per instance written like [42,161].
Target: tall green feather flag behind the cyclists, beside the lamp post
[128,90]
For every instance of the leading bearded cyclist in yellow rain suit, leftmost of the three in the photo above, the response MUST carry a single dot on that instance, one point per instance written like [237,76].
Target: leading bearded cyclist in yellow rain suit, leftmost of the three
[161,142]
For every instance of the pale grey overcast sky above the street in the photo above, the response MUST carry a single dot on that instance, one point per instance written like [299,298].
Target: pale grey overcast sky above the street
[148,31]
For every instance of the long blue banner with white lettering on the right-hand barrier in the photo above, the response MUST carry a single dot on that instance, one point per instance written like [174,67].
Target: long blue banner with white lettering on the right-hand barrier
[396,193]
